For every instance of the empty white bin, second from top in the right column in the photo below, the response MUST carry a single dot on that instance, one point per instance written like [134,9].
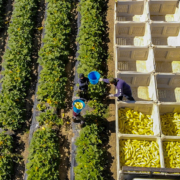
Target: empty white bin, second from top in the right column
[166,34]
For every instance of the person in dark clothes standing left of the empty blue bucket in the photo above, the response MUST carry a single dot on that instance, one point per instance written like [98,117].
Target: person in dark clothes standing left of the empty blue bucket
[83,85]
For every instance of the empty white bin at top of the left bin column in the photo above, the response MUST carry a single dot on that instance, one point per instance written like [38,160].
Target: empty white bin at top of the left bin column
[131,11]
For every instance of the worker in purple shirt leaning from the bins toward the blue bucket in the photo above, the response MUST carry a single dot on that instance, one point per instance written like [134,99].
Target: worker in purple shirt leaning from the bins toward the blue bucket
[123,88]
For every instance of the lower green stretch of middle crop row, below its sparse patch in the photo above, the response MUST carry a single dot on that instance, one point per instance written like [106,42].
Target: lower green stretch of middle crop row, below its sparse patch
[44,157]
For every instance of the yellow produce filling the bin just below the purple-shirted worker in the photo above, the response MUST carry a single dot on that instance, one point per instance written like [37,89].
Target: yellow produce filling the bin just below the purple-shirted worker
[133,122]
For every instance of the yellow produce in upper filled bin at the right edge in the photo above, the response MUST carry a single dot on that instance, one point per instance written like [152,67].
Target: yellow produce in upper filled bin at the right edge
[170,123]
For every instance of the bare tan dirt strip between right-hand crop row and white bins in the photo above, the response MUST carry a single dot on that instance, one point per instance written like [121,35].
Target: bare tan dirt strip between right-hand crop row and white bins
[111,107]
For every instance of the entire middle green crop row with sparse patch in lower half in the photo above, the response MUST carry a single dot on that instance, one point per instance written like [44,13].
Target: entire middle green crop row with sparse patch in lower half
[43,160]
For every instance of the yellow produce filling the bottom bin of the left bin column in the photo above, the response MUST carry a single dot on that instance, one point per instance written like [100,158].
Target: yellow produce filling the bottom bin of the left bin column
[139,153]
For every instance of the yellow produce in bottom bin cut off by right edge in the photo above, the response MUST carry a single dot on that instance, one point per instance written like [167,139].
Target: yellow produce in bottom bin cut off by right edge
[172,154]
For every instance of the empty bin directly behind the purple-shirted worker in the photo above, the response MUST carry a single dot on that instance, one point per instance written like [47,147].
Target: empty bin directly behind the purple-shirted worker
[142,85]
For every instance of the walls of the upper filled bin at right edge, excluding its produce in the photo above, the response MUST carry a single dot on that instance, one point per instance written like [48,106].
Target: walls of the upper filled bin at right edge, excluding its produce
[168,108]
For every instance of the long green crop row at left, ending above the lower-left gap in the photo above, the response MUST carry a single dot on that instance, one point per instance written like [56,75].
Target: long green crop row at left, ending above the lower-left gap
[17,64]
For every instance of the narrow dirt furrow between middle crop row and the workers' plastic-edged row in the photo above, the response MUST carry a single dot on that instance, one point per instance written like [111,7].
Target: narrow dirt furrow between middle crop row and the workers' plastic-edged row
[66,133]
